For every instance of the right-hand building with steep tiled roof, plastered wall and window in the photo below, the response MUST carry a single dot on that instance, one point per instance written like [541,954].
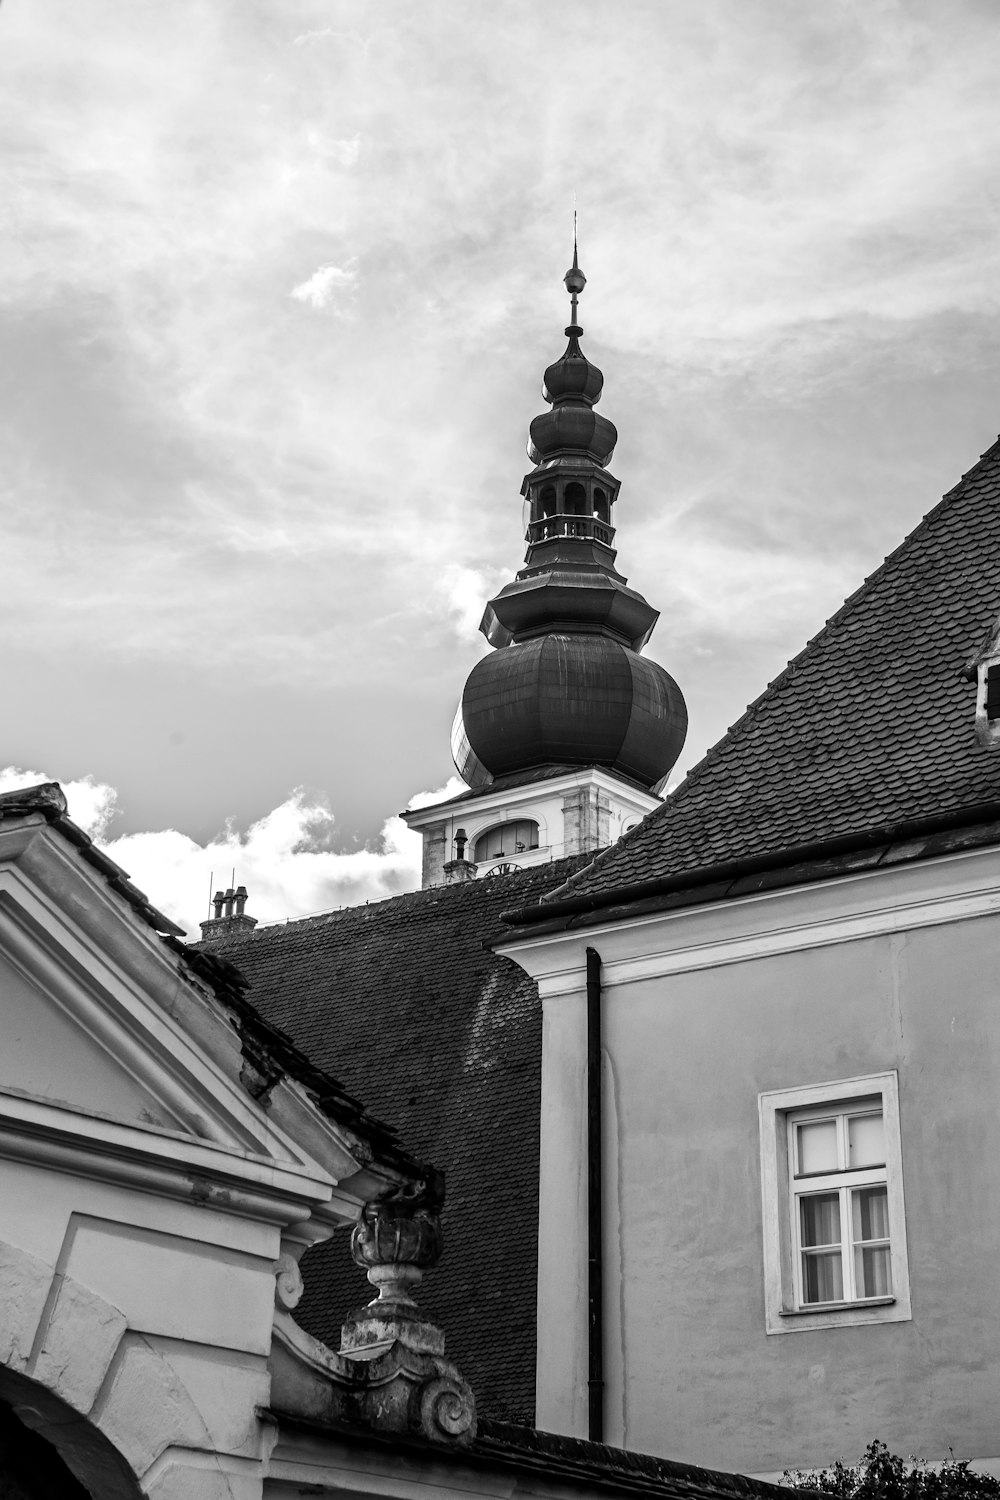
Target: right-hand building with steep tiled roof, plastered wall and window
[795,961]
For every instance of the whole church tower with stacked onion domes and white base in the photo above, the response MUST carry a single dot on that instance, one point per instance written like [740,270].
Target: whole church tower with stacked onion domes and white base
[564,730]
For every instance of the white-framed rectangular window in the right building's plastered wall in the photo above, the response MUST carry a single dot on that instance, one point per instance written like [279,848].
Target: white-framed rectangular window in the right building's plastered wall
[833,1205]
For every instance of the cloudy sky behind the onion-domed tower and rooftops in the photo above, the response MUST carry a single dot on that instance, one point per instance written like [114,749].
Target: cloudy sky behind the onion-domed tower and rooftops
[278,286]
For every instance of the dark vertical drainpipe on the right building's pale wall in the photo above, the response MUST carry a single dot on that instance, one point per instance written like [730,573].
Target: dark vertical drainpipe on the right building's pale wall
[594,1213]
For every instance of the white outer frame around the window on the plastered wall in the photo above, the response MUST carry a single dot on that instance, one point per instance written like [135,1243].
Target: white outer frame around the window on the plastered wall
[785,1312]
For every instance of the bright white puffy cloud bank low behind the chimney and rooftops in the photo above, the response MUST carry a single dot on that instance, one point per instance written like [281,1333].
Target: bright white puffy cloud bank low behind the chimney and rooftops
[287,860]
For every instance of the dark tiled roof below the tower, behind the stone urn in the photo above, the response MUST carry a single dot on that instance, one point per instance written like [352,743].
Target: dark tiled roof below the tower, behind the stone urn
[443,1039]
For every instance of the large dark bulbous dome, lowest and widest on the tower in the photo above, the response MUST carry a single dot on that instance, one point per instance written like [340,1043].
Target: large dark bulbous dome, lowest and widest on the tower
[570,700]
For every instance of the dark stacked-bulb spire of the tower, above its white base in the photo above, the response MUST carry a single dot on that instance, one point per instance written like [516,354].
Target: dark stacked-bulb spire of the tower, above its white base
[566,685]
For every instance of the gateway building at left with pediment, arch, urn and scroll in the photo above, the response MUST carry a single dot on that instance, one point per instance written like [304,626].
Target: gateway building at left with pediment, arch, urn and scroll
[166,1159]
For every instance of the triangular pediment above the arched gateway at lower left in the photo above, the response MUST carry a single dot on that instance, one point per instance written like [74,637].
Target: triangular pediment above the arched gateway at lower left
[101,1021]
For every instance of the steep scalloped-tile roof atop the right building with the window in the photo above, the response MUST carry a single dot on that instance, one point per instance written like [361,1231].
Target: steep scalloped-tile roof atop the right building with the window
[870,725]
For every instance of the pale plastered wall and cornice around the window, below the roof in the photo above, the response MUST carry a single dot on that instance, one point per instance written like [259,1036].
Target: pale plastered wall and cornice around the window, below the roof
[705,1010]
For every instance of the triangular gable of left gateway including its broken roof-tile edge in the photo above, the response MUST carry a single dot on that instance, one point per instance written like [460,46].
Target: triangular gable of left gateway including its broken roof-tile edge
[109,1036]
